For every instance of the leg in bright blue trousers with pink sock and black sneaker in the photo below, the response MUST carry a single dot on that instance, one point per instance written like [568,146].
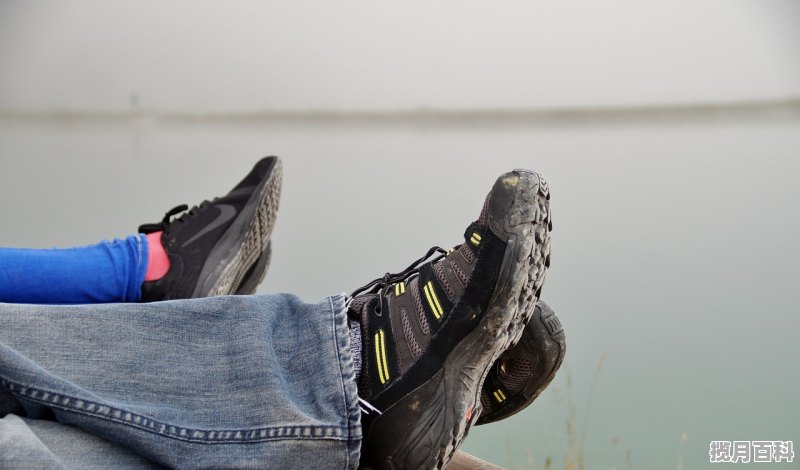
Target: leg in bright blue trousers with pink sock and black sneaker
[216,248]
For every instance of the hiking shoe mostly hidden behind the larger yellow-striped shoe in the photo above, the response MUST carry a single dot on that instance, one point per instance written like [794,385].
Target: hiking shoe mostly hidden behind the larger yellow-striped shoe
[522,372]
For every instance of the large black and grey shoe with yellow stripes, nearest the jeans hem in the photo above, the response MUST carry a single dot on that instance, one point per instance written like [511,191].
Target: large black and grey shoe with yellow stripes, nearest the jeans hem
[431,333]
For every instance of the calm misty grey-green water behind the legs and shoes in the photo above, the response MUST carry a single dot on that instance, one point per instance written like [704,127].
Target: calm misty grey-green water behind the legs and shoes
[674,248]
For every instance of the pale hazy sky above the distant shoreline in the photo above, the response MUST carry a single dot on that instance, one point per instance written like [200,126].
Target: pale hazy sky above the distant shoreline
[204,55]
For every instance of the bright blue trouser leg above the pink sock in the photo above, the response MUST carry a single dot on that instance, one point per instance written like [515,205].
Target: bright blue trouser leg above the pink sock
[110,271]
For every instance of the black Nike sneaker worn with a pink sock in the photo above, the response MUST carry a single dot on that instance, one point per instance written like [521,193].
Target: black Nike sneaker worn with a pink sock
[211,247]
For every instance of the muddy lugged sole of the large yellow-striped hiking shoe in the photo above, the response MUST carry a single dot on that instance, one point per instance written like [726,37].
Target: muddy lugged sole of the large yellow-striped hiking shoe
[427,426]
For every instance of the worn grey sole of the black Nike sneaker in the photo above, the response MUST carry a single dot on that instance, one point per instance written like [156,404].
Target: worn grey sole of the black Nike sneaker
[244,242]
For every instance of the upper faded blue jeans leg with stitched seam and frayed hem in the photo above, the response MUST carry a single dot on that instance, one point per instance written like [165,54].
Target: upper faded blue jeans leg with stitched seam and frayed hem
[262,381]
